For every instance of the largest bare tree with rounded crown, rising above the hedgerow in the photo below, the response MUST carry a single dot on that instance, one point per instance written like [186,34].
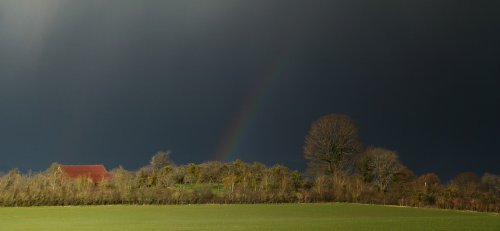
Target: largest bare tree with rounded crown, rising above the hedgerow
[331,143]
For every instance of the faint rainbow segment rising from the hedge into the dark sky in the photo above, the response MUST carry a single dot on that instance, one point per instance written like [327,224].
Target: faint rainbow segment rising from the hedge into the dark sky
[249,107]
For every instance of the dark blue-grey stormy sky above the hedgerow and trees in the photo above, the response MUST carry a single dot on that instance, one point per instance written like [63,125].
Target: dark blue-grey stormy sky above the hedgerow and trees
[114,81]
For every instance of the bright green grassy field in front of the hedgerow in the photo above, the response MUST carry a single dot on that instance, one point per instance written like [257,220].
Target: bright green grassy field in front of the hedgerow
[244,217]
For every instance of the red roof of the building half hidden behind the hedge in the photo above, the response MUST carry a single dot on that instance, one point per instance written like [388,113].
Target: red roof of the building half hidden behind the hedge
[96,173]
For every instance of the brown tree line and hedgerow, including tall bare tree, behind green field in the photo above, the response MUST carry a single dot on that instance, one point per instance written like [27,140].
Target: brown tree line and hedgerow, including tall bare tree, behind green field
[339,169]
